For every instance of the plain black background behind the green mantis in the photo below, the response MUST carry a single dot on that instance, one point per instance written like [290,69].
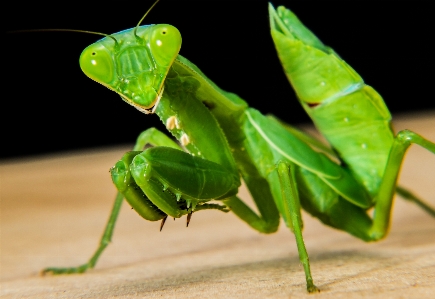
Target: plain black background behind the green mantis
[48,105]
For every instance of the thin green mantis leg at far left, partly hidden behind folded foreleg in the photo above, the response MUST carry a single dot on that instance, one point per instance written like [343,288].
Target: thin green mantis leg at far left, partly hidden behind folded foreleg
[150,136]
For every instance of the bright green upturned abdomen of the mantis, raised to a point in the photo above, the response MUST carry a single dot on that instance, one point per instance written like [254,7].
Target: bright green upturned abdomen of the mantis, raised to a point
[361,131]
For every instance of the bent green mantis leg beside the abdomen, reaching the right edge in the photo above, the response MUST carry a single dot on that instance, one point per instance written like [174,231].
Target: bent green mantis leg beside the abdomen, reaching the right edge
[384,198]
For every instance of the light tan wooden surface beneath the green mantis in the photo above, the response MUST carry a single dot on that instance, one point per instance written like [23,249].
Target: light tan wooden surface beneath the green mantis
[53,211]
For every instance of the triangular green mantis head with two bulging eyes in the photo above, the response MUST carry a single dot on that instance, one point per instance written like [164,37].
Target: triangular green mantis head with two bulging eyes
[134,62]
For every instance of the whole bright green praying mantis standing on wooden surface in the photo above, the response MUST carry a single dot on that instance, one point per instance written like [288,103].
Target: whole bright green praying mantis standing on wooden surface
[222,141]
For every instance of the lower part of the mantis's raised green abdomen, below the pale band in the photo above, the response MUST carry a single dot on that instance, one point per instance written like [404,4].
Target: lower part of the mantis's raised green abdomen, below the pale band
[358,127]
